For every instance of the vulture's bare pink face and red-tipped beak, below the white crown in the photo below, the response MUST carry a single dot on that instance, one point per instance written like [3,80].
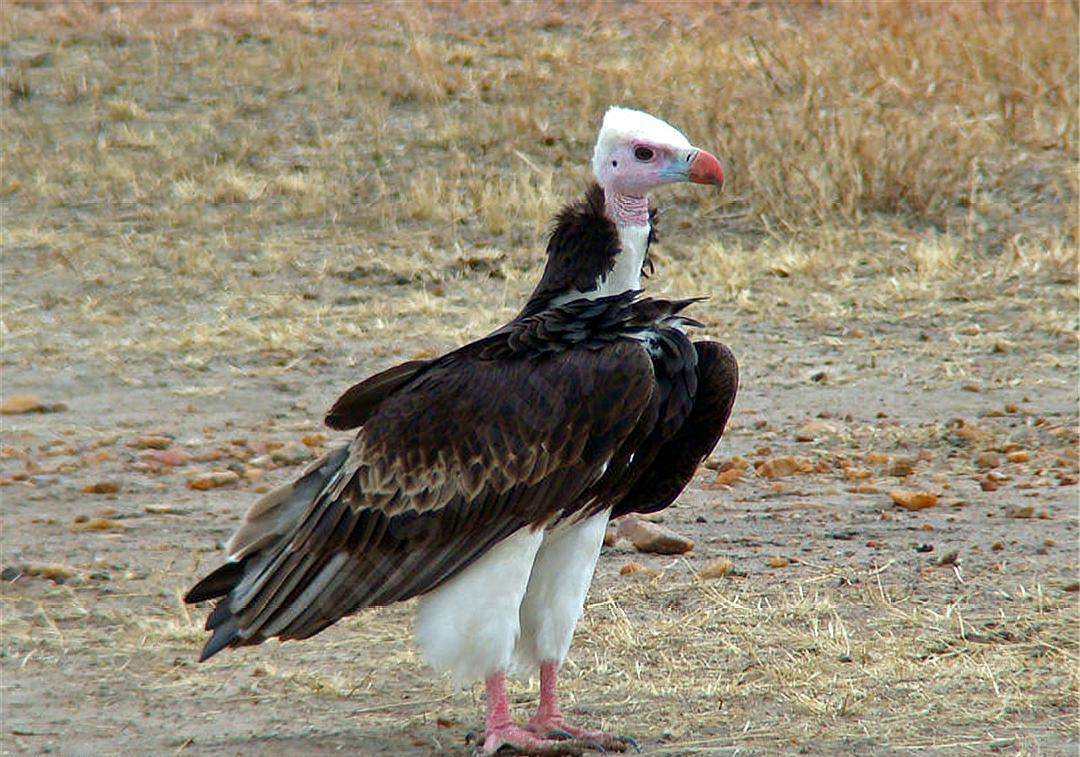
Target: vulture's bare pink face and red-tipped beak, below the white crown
[636,167]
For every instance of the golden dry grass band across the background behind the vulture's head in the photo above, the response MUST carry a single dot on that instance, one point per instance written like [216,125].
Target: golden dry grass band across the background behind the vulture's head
[242,156]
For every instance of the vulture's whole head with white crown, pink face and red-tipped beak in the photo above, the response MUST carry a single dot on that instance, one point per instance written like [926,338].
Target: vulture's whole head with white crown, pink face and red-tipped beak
[637,153]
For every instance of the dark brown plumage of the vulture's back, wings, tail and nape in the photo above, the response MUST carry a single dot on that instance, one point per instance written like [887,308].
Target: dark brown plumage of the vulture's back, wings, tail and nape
[556,415]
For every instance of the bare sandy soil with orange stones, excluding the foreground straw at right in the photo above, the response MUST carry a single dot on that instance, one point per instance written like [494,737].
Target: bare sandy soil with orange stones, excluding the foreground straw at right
[103,660]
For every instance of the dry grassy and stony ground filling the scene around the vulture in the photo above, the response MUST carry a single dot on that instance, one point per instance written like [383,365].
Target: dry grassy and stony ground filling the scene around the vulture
[206,240]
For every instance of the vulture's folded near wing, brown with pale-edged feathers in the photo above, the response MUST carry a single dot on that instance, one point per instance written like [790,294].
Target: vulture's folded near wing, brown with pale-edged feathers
[469,453]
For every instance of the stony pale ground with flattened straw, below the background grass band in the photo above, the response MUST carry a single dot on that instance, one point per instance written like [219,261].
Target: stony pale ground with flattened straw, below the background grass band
[104,661]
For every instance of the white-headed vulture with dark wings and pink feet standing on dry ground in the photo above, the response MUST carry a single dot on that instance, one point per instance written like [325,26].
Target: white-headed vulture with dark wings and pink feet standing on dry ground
[483,481]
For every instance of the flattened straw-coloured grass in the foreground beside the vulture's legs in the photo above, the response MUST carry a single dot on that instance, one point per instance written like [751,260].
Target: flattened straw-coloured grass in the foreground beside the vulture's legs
[693,667]
